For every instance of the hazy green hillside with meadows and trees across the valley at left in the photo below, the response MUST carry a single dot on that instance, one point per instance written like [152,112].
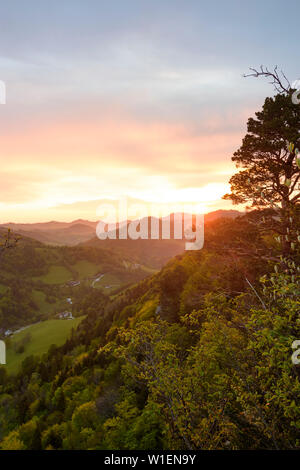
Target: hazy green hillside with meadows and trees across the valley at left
[36,279]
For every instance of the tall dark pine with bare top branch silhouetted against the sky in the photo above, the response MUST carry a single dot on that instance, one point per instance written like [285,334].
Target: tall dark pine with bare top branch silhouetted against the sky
[270,163]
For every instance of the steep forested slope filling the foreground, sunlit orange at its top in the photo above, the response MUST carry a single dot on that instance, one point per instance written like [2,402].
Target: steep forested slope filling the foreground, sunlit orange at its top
[198,356]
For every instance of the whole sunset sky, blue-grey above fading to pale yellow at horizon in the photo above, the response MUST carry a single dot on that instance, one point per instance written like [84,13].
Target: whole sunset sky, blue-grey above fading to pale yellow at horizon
[130,98]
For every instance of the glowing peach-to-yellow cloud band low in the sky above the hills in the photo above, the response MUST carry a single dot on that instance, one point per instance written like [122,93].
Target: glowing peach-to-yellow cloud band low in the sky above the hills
[65,161]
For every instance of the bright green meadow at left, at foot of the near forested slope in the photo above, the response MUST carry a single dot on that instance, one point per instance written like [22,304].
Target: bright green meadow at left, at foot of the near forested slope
[42,336]
